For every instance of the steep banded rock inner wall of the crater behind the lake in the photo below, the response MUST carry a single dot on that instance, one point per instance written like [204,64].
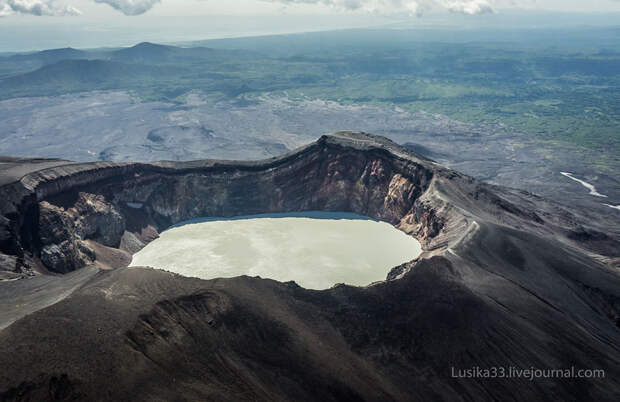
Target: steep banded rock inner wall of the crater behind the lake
[124,207]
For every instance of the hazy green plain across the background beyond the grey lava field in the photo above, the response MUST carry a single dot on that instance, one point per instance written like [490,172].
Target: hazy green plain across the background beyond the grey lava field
[568,92]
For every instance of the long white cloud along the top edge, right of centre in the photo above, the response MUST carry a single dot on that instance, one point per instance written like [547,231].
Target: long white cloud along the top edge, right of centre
[399,6]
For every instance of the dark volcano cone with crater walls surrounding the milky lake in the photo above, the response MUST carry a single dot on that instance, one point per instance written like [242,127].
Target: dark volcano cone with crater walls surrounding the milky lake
[507,279]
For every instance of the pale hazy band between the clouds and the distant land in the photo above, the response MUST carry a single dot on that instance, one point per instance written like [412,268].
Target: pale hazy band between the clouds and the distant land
[26,33]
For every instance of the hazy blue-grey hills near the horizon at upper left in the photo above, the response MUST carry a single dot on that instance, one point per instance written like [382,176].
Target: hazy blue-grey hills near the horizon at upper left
[58,71]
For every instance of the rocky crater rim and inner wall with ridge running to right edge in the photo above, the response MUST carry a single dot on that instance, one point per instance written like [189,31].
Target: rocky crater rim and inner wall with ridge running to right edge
[124,204]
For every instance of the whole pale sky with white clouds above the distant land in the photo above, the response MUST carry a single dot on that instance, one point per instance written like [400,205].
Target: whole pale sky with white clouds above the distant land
[30,25]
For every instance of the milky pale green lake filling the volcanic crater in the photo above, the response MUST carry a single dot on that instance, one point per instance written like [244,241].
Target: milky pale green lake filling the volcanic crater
[316,250]
